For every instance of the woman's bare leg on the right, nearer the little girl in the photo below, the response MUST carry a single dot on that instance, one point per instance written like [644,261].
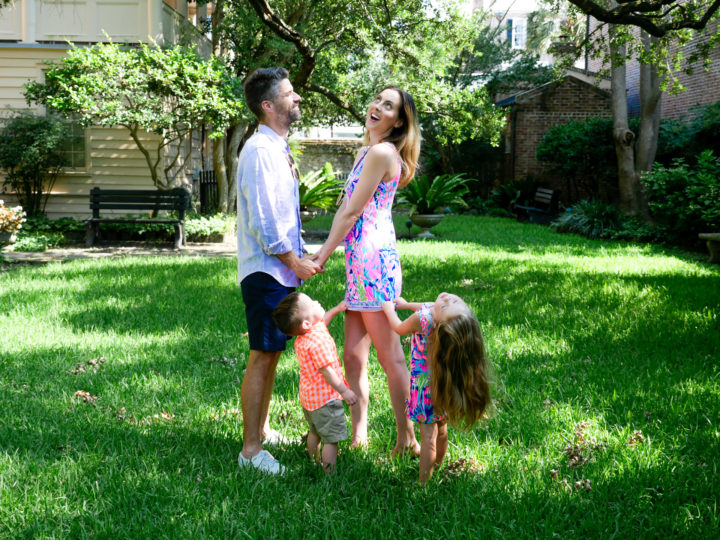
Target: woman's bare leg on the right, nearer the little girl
[392,359]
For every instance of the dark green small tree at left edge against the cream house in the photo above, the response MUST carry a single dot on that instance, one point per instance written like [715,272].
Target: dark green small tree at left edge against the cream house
[30,154]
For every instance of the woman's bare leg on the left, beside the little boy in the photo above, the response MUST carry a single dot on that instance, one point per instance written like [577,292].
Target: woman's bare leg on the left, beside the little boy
[355,357]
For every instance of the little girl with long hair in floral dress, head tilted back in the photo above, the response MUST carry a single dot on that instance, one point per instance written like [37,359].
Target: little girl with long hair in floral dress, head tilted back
[448,357]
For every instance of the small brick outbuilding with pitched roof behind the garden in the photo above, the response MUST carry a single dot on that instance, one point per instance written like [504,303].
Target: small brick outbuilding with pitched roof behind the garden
[532,113]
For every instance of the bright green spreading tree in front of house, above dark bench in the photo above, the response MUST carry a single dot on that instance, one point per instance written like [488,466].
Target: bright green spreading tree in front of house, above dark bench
[166,92]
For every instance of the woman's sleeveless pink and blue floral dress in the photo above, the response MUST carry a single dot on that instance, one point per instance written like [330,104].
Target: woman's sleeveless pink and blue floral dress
[372,264]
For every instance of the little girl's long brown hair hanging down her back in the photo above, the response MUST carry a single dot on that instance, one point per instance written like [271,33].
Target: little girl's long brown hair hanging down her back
[459,370]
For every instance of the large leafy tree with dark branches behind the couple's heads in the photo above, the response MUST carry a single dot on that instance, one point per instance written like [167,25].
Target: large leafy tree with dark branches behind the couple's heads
[340,53]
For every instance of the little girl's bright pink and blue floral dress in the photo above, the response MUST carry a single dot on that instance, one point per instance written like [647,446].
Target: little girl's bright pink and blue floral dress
[420,405]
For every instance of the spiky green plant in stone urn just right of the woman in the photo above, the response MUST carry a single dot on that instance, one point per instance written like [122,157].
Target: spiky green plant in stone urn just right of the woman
[429,200]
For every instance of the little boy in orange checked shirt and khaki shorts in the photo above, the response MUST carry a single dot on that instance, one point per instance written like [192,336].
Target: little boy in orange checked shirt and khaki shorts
[322,385]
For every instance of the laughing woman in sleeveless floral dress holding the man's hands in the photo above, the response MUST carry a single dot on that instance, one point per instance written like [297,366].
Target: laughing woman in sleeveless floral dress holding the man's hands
[373,276]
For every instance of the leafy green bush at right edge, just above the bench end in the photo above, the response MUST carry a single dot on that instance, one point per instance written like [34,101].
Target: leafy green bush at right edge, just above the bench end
[684,198]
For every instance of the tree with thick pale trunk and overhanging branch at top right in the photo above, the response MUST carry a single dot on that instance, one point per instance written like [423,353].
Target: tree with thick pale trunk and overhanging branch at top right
[653,33]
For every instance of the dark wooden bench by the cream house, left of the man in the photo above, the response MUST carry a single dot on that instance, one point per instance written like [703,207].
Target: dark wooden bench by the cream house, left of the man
[134,201]
